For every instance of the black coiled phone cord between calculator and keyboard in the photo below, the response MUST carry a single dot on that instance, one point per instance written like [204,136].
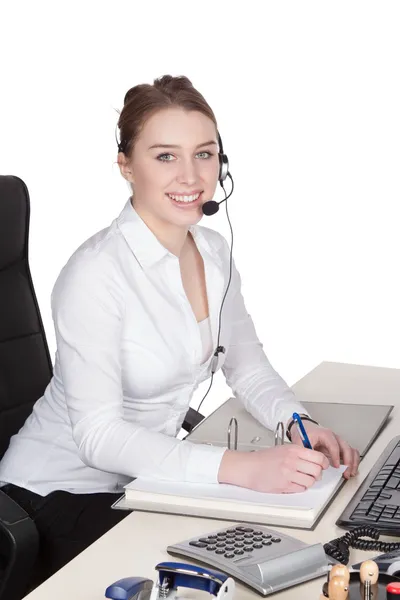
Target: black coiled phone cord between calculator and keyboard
[339,548]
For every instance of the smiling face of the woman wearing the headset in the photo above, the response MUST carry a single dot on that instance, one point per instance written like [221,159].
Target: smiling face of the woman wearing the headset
[174,167]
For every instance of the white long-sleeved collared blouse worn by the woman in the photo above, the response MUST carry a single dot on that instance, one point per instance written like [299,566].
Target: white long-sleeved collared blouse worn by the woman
[130,355]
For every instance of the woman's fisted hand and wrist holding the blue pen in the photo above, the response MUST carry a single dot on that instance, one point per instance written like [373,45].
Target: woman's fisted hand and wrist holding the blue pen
[281,469]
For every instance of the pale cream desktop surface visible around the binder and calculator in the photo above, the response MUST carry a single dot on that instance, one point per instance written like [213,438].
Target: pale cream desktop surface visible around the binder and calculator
[137,544]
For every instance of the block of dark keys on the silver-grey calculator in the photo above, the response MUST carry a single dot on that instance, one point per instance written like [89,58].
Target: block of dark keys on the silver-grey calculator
[235,541]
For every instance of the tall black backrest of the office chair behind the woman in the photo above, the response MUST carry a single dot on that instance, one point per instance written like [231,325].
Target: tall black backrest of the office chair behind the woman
[25,363]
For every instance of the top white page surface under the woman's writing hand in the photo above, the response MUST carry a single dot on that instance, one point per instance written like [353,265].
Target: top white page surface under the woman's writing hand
[312,498]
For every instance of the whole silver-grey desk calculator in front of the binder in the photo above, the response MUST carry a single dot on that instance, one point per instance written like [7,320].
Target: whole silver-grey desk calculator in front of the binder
[259,557]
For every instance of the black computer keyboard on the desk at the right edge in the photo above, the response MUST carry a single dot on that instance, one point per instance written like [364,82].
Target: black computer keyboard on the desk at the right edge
[377,501]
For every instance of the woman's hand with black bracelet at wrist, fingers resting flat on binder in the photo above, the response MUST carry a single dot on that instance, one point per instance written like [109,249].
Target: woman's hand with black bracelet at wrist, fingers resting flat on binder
[331,445]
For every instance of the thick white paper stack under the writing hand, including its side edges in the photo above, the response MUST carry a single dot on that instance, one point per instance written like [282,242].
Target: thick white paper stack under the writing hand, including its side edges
[231,502]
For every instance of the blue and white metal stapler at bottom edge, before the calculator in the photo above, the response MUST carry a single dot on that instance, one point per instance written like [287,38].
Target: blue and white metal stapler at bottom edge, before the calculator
[170,577]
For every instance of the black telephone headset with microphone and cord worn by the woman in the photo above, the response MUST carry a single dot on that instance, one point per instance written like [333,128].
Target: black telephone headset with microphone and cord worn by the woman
[209,208]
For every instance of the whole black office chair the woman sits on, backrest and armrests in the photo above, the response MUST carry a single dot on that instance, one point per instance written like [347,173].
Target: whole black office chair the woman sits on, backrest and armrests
[25,371]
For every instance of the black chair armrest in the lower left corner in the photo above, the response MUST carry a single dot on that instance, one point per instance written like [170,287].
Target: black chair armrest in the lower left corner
[22,544]
